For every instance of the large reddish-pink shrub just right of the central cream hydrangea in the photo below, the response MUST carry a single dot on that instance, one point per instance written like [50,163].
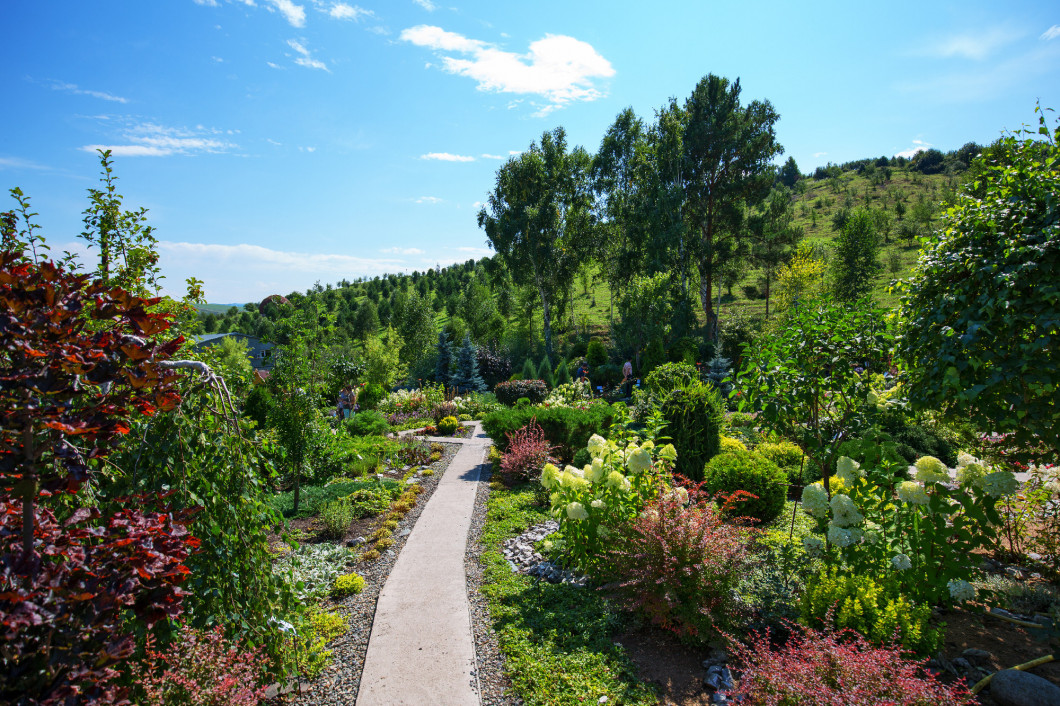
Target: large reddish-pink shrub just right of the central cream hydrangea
[678,563]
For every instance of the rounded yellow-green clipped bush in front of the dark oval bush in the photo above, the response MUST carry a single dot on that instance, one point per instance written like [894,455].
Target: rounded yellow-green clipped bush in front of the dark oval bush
[747,471]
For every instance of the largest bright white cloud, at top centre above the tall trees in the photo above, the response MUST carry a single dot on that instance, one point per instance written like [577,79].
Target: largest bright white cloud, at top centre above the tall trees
[558,68]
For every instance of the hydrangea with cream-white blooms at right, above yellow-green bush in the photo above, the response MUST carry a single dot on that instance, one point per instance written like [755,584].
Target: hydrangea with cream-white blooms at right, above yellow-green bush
[922,529]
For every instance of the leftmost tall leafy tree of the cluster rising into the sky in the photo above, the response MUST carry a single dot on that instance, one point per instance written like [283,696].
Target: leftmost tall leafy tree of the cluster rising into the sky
[540,219]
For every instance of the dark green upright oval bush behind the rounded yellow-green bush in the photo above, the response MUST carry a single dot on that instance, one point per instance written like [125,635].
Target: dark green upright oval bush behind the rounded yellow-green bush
[694,416]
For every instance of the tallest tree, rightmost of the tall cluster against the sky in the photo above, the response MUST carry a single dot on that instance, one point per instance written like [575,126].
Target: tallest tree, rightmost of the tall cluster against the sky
[728,150]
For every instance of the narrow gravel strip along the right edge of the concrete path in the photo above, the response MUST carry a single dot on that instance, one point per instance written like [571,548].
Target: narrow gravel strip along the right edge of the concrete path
[496,689]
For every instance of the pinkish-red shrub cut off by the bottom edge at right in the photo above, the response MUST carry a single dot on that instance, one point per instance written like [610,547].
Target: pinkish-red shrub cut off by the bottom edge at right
[837,669]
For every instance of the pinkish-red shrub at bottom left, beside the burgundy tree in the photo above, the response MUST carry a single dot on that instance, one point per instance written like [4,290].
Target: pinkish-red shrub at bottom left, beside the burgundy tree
[200,669]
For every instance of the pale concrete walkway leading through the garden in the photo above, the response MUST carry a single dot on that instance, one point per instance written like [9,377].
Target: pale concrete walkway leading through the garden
[421,650]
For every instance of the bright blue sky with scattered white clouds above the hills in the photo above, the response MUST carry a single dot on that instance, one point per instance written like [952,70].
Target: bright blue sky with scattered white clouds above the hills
[281,143]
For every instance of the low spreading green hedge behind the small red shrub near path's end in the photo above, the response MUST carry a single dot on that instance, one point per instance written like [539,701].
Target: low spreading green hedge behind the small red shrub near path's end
[567,429]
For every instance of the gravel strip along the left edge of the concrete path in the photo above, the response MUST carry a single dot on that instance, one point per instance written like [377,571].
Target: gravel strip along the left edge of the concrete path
[339,684]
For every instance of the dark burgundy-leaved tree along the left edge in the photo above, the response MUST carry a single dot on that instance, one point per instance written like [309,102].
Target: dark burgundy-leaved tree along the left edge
[78,362]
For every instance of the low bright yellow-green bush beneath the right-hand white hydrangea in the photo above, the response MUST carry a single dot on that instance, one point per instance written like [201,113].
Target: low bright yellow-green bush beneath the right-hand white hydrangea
[874,609]
